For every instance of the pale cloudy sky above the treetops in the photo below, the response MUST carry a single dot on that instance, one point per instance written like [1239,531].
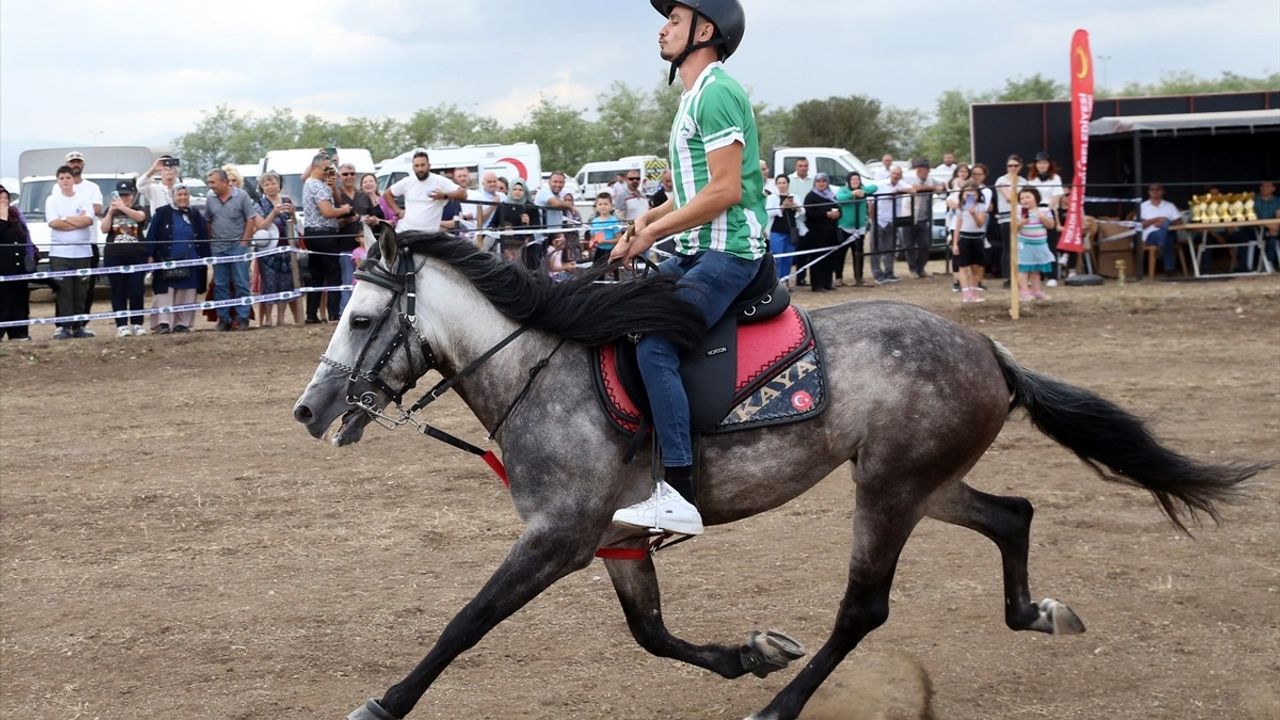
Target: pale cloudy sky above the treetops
[120,74]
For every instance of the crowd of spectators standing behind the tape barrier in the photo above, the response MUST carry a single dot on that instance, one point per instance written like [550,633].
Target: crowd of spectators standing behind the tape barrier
[815,225]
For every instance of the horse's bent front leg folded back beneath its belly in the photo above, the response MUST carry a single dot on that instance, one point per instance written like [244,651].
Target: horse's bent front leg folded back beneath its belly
[637,585]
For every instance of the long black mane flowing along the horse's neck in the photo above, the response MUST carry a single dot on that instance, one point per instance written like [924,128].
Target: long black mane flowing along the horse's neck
[579,309]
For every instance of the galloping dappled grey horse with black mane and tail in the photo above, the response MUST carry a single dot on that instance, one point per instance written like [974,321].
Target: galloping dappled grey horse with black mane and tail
[916,400]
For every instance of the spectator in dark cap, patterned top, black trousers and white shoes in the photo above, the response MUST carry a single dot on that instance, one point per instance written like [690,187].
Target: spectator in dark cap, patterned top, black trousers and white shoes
[124,227]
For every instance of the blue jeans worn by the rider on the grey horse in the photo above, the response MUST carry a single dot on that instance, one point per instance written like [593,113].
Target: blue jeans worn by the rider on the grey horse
[711,281]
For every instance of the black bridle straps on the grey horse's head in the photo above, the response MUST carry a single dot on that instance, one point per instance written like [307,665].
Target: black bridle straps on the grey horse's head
[362,382]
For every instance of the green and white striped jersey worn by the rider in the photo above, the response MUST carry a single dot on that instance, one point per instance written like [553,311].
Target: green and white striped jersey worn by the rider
[714,115]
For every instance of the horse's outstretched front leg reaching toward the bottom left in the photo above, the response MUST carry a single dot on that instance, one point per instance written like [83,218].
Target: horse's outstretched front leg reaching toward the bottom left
[540,558]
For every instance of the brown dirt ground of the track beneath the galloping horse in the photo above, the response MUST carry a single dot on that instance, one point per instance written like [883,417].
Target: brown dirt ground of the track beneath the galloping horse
[175,546]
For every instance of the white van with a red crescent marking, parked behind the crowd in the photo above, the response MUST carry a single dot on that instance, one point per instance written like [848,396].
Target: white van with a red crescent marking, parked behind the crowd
[519,161]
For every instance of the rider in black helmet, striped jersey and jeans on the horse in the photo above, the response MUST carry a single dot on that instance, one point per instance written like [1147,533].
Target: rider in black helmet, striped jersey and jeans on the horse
[717,215]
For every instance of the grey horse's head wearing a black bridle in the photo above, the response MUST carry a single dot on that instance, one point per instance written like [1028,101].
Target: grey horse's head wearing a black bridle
[377,353]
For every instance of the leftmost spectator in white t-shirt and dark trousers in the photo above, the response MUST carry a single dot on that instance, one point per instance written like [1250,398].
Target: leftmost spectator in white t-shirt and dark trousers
[71,248]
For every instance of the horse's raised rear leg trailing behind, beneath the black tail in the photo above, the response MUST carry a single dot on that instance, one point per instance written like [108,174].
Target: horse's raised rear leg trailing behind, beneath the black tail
[1007,521]
